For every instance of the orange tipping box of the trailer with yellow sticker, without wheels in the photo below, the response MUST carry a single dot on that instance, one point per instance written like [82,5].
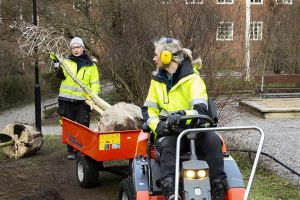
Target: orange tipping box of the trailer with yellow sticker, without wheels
[100,146]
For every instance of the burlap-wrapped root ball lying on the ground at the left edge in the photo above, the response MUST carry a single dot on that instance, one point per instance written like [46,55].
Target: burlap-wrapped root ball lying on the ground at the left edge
[27,140]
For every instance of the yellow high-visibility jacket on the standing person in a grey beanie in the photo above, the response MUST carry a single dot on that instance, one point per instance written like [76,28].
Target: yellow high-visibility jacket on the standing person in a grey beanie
[87,74]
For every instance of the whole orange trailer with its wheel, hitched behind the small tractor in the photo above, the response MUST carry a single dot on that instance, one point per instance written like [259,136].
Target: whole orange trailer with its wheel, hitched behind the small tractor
[93,148]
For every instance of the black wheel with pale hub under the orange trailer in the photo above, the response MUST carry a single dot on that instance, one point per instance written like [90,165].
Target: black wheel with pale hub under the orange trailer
[87,172]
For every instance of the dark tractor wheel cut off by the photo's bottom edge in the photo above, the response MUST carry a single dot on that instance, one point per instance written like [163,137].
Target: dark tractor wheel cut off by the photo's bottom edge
[127,190]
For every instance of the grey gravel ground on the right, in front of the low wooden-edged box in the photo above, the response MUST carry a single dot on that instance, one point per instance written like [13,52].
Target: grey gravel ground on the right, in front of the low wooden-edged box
[282,141]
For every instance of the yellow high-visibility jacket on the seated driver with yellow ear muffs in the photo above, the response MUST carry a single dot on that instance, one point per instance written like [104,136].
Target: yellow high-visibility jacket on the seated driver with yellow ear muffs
[185,90]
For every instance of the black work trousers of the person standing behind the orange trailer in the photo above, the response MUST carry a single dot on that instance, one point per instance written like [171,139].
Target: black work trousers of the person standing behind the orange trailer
[76,111]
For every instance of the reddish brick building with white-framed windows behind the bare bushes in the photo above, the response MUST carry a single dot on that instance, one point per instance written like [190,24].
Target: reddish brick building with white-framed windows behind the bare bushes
[231,30]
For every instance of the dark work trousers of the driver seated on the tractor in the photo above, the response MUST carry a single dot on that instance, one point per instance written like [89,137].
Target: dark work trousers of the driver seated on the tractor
[208,148]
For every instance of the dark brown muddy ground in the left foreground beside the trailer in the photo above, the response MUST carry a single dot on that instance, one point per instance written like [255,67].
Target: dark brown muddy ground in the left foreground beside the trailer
[48,175]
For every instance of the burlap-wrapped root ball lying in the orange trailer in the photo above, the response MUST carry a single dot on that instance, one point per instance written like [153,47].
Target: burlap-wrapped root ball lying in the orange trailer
[121,116]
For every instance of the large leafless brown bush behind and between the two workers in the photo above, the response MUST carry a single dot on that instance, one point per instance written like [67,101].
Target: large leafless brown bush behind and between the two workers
[120,35]
